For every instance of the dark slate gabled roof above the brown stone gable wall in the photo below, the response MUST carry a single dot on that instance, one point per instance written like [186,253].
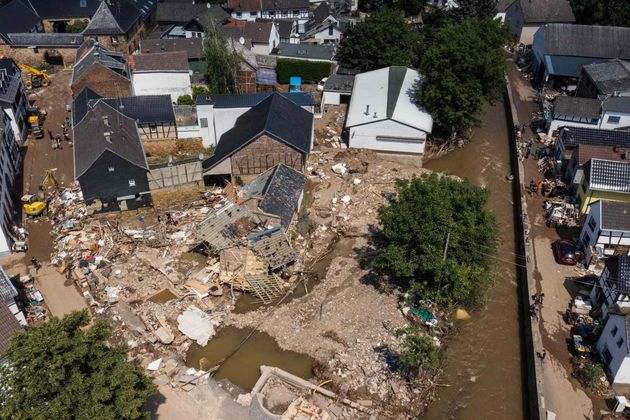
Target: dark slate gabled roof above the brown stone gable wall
[275,116]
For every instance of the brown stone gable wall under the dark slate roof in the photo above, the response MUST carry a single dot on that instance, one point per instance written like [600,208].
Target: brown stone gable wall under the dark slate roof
[264,153]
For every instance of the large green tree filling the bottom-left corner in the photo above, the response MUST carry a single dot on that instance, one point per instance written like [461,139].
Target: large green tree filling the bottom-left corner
[64,369]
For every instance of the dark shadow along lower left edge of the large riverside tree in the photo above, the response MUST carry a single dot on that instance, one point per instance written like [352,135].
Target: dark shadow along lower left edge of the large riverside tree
[381,282]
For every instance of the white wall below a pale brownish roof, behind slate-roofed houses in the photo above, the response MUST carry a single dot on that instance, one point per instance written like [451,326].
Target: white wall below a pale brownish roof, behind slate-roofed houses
[162,83]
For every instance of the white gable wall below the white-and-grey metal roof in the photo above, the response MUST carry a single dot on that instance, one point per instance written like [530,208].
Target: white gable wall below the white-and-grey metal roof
[365,136]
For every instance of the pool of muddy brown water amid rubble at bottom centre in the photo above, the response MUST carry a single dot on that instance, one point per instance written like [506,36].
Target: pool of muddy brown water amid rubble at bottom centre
[243,368]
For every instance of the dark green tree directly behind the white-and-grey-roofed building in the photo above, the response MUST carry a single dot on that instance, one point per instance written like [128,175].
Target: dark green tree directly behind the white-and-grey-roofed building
[383,39]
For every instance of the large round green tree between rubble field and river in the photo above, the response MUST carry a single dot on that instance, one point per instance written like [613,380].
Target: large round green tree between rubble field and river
[416,224]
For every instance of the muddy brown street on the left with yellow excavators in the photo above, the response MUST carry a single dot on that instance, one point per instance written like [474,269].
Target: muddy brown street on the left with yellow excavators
[40,156]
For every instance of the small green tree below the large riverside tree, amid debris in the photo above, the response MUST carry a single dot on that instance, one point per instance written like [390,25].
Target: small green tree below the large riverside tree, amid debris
[418,351]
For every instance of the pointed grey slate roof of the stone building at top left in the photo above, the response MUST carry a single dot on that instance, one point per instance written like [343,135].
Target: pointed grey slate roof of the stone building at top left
[114,19]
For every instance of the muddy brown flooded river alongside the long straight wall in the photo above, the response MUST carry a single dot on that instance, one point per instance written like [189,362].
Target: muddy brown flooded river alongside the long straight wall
[484,370]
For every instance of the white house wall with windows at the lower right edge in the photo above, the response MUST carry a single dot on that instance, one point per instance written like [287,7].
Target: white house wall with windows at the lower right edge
[619,366]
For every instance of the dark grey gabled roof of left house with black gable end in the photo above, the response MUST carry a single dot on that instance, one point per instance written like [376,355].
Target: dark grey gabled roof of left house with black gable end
[90,142]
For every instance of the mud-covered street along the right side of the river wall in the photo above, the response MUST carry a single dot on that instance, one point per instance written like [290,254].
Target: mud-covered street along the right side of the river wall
[563,394]
